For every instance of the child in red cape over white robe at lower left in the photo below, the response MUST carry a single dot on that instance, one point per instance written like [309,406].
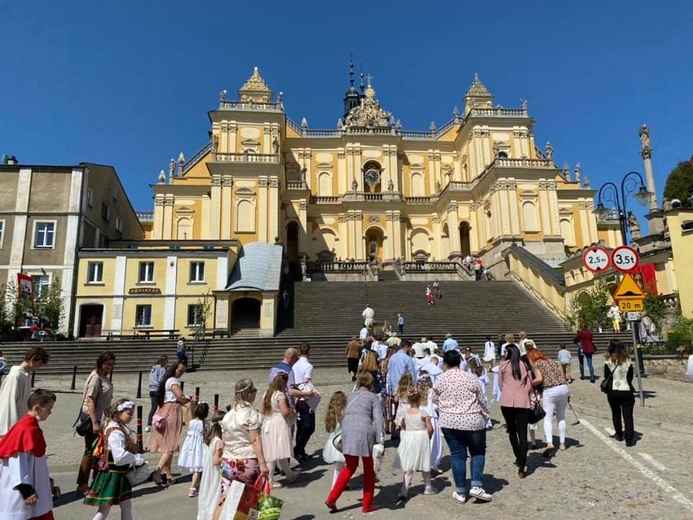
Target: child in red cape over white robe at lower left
[25,487]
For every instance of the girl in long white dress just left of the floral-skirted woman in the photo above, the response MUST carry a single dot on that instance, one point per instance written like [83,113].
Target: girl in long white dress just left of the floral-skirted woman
[210,483]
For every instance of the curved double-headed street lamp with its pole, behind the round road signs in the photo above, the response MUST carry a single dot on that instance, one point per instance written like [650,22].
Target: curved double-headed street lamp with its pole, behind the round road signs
[632,183]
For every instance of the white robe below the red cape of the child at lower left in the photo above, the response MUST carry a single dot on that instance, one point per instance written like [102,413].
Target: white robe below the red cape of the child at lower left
[24,468]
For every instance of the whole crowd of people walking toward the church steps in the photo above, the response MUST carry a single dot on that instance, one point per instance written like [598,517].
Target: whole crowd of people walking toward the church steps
[420,394]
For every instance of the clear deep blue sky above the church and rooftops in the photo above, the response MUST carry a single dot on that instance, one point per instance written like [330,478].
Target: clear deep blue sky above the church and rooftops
[129,83]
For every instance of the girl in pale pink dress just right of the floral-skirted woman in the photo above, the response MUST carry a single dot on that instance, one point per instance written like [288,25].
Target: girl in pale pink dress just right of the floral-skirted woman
[276,432]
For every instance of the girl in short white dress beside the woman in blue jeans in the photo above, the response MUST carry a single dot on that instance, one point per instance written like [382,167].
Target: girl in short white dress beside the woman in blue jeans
[414,452]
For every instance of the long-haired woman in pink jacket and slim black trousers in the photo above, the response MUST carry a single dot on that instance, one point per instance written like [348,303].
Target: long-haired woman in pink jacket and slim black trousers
[515,383]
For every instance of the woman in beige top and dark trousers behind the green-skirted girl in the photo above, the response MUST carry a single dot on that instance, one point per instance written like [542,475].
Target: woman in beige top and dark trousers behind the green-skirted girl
[98,395]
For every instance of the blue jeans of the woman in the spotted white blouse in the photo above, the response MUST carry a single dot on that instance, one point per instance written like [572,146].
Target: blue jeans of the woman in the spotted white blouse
[459,441]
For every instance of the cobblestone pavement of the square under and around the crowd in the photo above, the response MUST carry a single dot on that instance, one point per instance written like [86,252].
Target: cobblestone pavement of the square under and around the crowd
[595,476]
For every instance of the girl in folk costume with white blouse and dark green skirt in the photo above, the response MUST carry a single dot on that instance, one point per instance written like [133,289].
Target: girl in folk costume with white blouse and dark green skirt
[111,486]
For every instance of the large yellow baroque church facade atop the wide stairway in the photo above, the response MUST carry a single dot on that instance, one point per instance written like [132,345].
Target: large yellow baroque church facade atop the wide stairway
[369,189]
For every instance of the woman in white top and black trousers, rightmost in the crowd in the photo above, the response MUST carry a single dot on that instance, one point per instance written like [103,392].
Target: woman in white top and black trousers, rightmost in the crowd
[618,385]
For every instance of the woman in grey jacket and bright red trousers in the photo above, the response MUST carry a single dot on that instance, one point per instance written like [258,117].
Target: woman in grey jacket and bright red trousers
[362,429]
